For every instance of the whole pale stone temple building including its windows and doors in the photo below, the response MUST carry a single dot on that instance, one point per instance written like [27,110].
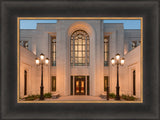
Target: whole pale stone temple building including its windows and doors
[80,53]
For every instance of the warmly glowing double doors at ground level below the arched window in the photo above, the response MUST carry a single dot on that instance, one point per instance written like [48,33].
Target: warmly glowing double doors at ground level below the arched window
[79,85]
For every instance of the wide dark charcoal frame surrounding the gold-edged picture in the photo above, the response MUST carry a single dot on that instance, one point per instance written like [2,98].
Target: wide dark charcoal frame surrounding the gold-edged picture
[148,9]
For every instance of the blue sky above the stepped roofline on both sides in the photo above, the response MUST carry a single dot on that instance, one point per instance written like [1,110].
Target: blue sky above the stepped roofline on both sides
[32,24]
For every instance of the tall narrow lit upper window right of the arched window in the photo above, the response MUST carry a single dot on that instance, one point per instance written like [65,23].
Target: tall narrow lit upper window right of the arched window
[106,50]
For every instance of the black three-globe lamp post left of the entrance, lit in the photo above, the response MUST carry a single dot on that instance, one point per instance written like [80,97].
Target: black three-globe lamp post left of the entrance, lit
[41,61]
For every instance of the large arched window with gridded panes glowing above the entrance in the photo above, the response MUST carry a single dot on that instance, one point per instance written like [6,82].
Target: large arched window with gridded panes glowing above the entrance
[79,48]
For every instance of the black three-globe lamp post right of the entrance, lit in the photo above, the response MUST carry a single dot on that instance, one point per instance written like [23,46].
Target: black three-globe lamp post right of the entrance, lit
[117,61]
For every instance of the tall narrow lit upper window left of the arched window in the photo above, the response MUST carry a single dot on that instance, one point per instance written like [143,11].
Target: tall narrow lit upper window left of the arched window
[53,51]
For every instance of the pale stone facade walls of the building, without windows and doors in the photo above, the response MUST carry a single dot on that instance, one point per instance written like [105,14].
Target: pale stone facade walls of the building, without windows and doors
[120,41]
